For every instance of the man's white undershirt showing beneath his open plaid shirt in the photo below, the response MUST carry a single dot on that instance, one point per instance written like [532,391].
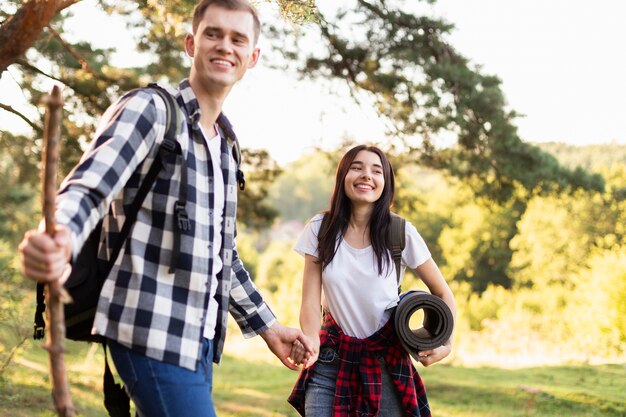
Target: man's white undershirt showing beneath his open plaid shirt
[218,208]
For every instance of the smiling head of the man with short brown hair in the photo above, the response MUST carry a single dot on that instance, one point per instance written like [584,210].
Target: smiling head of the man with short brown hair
[222,47]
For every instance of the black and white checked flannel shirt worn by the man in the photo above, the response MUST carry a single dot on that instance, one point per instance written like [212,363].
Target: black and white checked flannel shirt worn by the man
[142,305]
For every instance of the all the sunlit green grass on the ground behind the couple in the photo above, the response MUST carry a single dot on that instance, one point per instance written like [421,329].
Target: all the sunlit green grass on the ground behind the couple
[258,388]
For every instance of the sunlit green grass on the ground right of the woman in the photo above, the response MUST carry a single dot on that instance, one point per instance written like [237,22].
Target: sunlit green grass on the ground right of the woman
[562,391]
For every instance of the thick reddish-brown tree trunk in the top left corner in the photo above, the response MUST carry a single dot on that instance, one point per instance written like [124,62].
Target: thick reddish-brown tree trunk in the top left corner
[20,31]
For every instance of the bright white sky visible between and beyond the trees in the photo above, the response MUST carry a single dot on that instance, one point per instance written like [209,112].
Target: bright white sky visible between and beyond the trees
[562,64]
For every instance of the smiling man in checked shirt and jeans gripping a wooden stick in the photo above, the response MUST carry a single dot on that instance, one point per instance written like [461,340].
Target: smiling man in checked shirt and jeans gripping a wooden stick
[166,326]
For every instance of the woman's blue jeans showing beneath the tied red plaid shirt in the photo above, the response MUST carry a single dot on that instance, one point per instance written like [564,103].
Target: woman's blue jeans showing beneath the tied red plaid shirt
[320,388]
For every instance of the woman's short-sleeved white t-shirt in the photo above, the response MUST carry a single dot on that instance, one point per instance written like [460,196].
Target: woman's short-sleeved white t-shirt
[358,297]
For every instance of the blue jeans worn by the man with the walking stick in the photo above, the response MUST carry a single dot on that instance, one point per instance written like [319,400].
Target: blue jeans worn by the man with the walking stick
[161,389]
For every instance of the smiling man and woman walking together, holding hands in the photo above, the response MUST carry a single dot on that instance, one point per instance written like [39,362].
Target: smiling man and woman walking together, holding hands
[165,327]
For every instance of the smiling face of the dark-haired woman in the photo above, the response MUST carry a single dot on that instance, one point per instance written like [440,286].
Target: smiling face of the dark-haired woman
[365,181]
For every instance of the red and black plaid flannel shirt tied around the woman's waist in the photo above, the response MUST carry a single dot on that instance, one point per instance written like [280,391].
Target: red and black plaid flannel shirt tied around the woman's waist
[359,381]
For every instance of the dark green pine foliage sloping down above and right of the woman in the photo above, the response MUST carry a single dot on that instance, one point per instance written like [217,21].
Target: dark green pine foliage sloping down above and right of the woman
[425,88]
